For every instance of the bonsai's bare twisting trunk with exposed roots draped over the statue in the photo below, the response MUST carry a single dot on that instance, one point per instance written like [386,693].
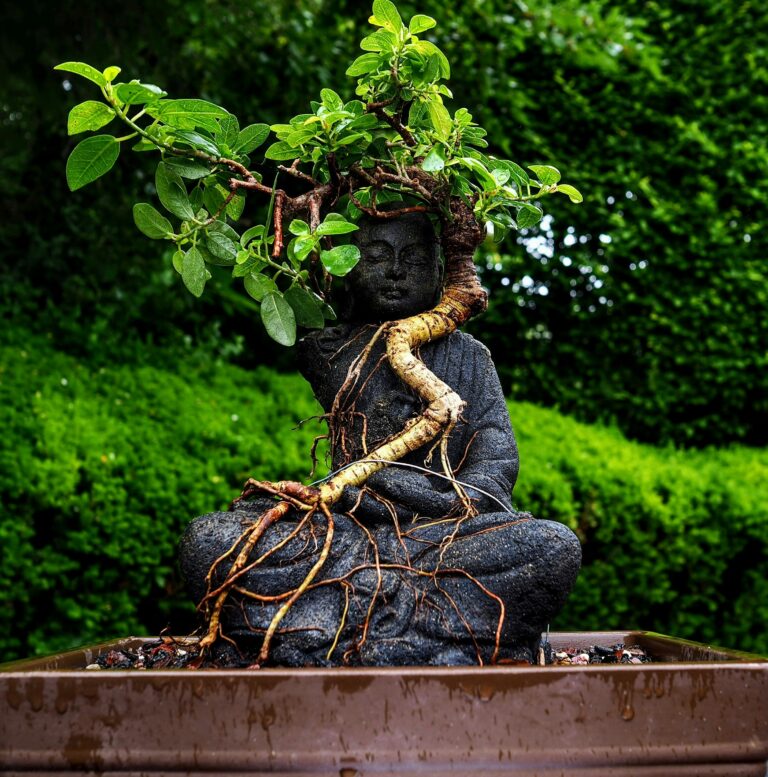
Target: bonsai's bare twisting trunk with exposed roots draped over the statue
[442,408]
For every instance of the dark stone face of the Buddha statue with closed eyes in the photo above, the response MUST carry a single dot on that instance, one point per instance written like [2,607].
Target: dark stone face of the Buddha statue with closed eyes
[399,272]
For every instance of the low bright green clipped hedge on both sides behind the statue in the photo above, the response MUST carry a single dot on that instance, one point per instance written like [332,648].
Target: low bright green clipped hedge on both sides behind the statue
[102,466]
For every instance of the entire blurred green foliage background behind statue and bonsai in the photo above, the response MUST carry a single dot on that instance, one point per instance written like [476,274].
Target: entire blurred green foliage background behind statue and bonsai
[641,311]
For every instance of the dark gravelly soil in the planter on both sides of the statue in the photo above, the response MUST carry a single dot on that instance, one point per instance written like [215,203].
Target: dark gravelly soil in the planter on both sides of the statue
[170,653]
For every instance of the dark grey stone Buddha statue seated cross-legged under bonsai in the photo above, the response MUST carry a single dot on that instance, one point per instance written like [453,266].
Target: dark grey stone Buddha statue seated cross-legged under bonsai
[412,576]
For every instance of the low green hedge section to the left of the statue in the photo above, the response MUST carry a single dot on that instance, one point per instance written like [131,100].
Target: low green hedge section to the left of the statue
[101,469]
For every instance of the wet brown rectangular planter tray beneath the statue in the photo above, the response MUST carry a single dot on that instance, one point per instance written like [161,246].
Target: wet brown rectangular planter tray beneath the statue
[700,711]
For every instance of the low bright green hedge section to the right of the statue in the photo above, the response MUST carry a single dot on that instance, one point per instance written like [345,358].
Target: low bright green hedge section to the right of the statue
[673,541]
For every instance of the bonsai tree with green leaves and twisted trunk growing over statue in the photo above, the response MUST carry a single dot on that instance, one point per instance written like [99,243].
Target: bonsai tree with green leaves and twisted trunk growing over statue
[395,141]
